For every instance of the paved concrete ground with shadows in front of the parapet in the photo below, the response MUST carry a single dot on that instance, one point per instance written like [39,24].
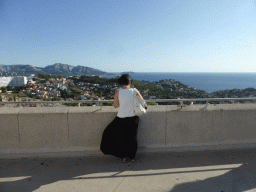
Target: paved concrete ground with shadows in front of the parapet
[175,172]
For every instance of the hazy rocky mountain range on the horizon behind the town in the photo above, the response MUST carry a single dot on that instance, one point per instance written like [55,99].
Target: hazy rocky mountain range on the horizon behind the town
[55,69]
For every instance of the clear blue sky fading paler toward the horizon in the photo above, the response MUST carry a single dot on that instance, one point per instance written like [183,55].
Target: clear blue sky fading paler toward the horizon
[133,35]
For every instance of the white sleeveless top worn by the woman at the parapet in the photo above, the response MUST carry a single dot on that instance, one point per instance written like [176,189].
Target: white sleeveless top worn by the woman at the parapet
[126,99]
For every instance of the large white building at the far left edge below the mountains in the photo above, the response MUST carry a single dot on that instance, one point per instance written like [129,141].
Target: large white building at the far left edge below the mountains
[13,81]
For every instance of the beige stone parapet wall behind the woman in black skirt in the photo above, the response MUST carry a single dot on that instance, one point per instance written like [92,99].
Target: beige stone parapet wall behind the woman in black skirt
[77,131]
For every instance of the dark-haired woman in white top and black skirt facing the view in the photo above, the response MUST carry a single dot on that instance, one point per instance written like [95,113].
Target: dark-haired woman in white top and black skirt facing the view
[120,136]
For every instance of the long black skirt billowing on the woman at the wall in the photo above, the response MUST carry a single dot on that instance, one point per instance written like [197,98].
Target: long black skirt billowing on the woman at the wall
[120,137]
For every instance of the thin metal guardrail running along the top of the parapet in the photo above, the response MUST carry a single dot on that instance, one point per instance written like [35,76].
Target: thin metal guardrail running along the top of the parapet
[99,102]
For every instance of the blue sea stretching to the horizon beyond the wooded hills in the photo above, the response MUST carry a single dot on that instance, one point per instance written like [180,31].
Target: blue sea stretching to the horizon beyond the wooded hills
[209,82]
